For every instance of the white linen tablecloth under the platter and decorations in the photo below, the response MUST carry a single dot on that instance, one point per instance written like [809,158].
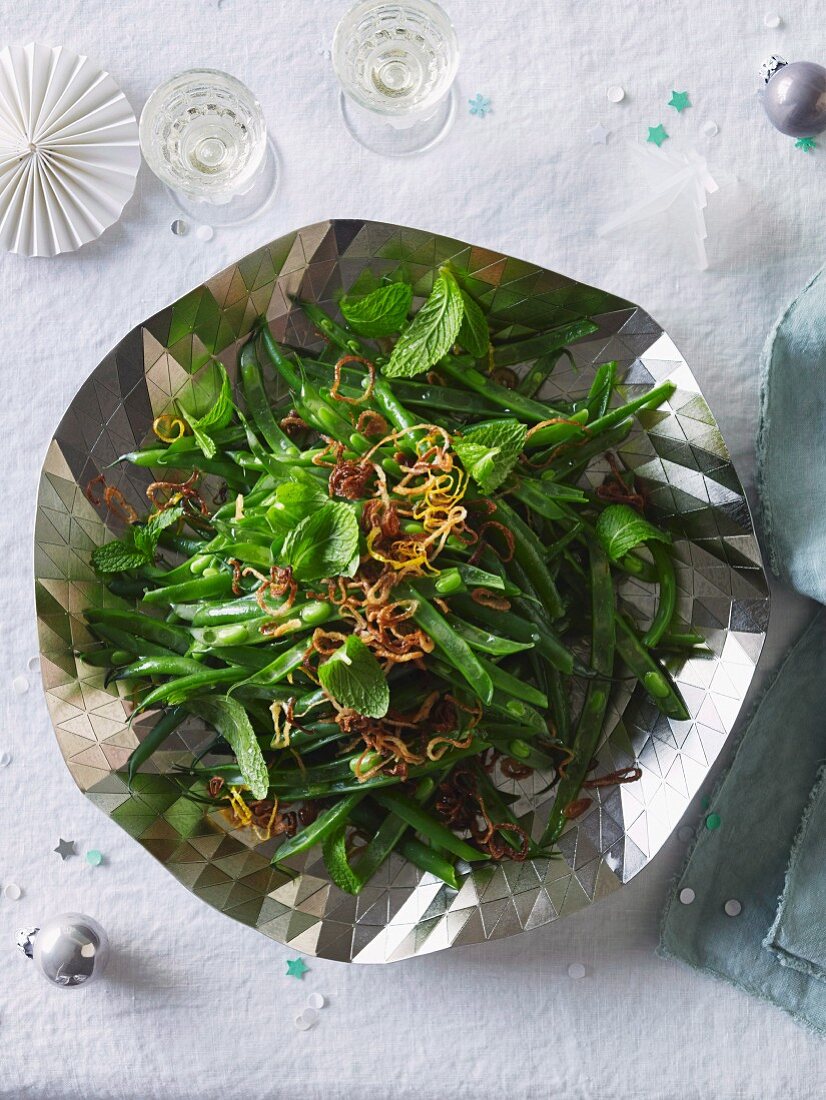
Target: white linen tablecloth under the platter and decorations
[194,1005]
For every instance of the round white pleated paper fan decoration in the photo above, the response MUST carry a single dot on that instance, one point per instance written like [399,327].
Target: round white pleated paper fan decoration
[69,150]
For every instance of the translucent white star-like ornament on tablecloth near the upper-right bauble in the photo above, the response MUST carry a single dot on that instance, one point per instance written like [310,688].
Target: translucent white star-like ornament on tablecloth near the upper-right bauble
[678,185]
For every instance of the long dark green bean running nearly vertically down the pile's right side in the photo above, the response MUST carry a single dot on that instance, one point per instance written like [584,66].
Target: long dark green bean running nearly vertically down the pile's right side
[592,718]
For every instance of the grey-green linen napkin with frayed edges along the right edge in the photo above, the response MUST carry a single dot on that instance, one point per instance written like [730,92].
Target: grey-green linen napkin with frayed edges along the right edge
[751,905]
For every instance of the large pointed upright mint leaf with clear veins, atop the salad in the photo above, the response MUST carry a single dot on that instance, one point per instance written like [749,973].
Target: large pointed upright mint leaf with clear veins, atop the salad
[432,334]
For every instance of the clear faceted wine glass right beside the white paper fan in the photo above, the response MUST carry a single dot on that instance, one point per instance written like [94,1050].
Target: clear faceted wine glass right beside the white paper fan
[204,135]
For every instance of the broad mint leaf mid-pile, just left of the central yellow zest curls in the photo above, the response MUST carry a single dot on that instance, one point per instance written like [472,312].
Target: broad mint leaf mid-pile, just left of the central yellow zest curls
[324,544]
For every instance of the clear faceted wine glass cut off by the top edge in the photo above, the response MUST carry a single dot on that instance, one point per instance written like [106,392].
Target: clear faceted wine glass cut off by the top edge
[397,63]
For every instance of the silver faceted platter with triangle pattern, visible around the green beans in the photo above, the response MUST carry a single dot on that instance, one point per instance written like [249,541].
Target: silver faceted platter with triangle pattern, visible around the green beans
[681,464]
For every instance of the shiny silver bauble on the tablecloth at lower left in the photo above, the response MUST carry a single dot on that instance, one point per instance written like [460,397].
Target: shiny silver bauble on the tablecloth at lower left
[71,950]
